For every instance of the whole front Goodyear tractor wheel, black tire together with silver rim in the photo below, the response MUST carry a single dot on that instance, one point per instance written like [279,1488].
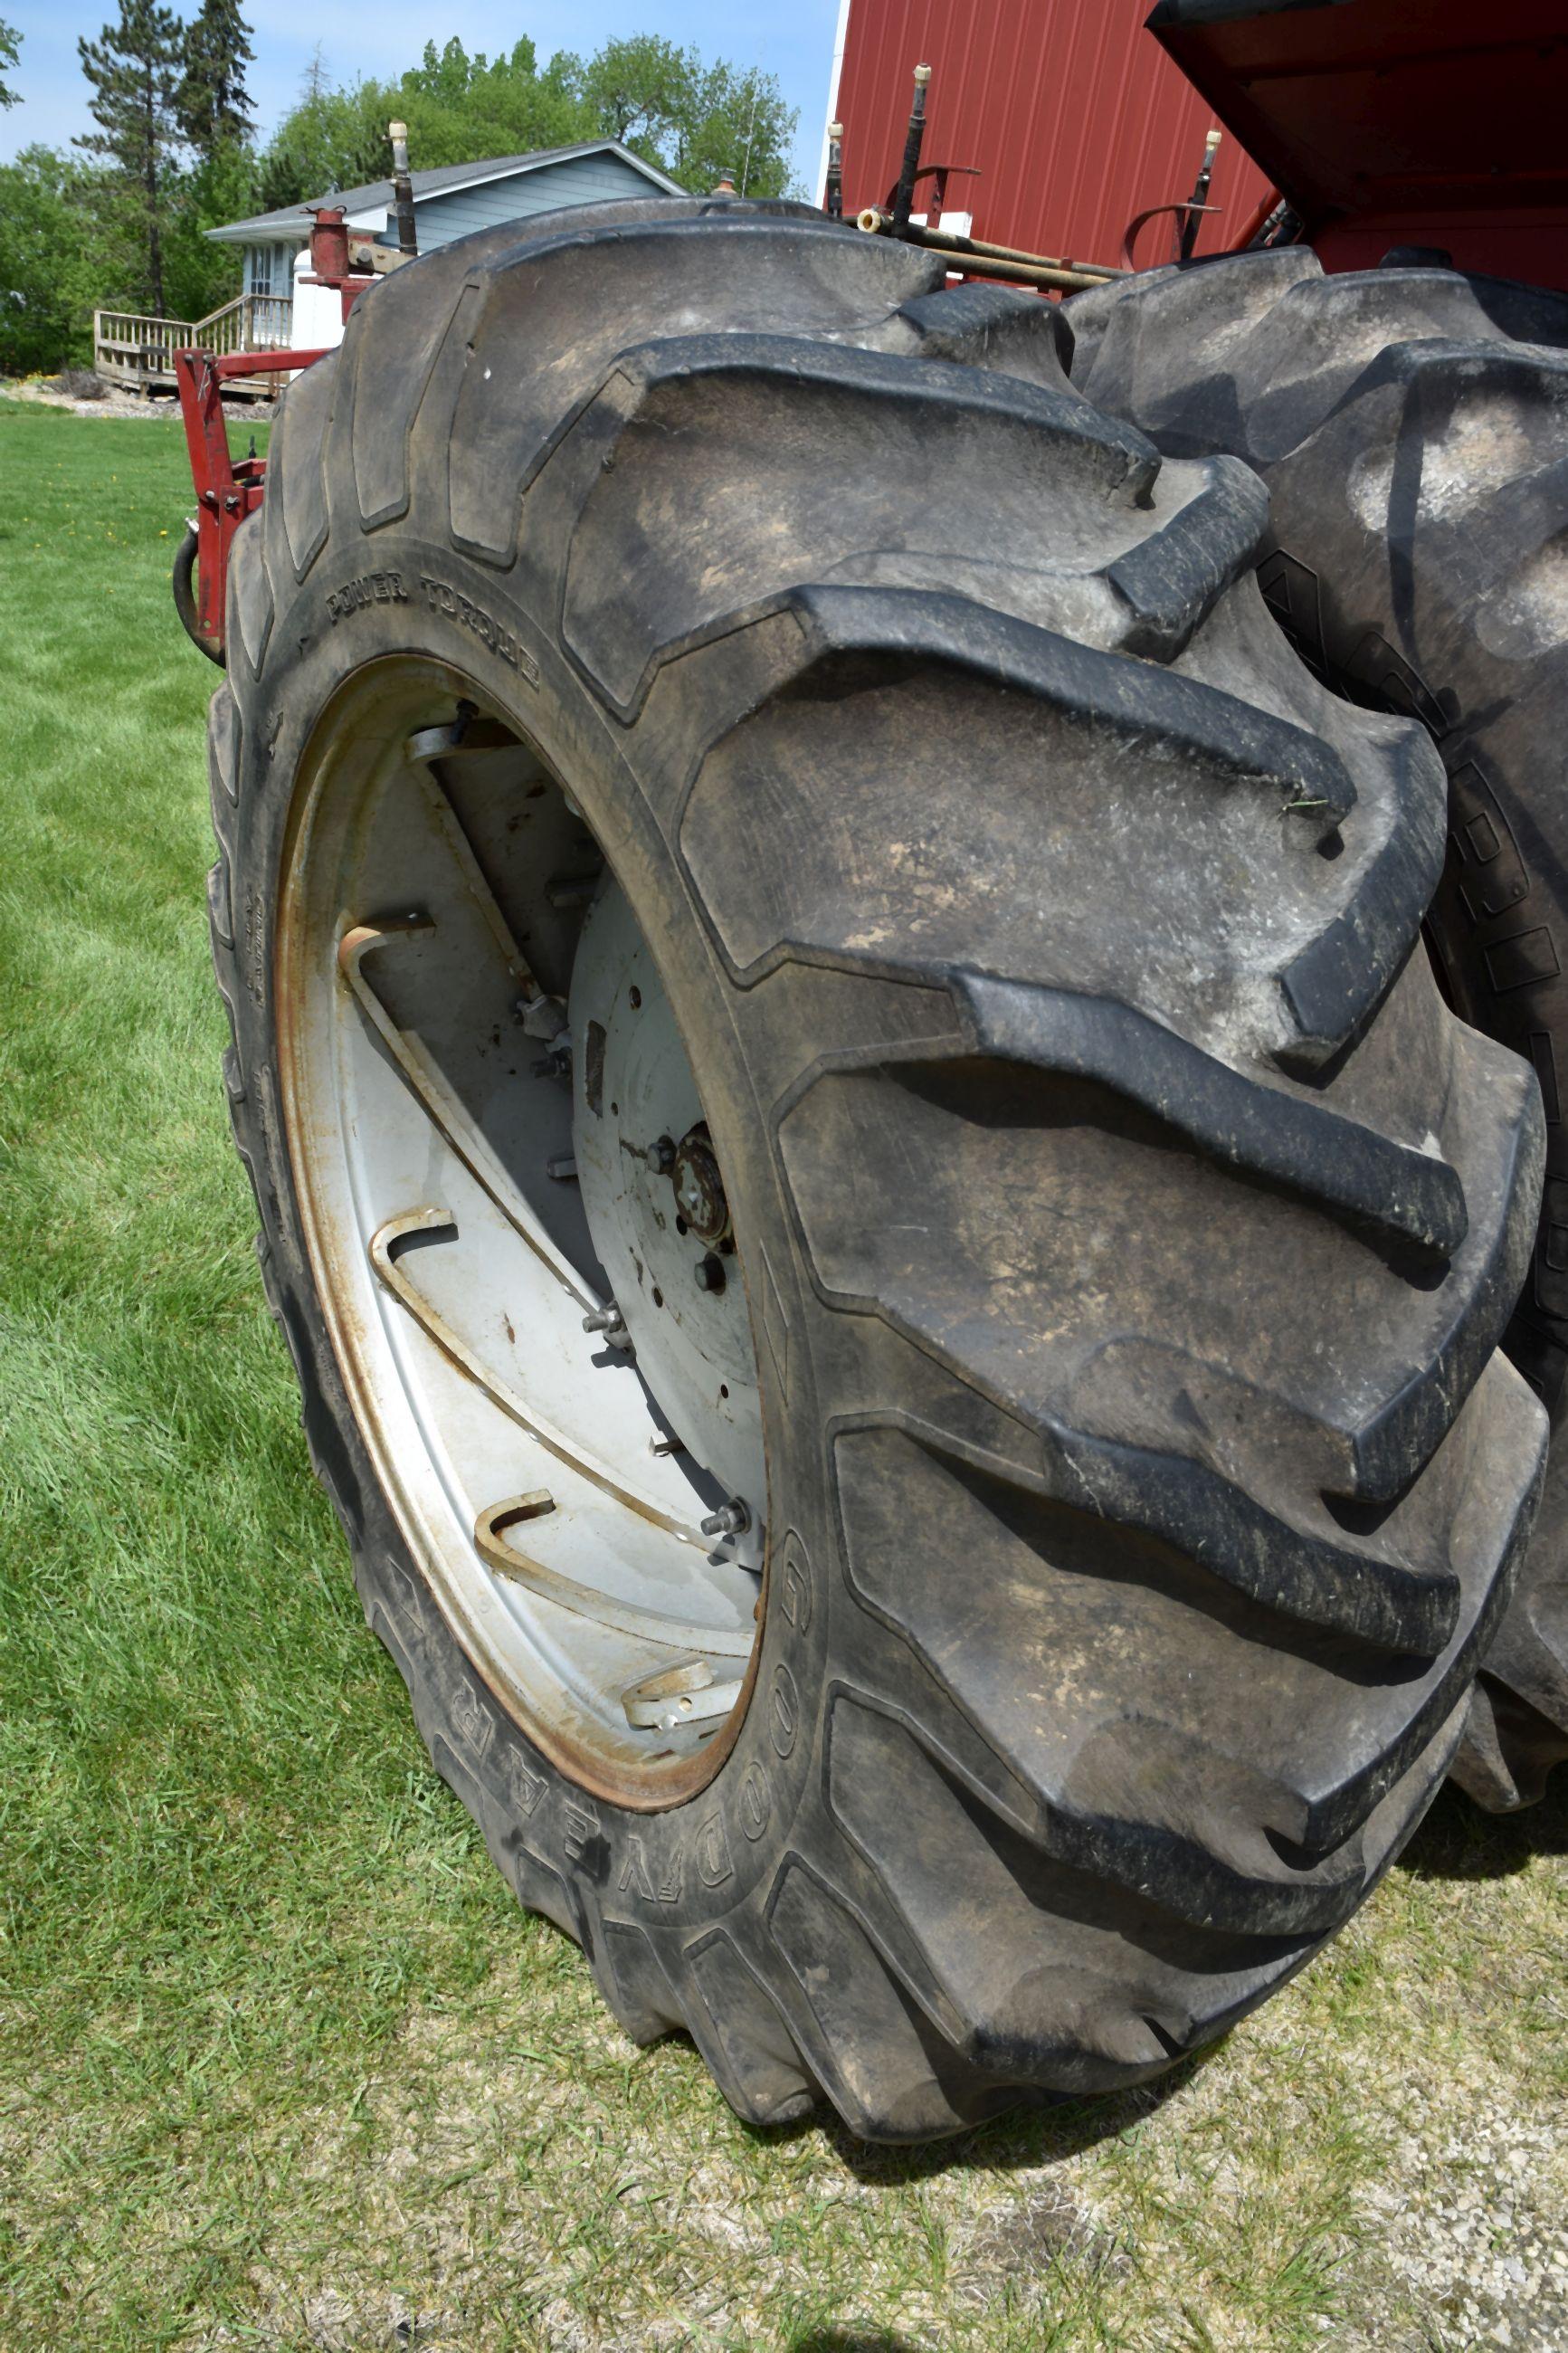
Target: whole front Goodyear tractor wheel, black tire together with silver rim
[892,1260]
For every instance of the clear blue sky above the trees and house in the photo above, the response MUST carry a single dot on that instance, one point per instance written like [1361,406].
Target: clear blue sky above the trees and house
[384,36]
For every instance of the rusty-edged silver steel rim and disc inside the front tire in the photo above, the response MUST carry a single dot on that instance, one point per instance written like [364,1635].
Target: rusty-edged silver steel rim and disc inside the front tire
[563,1406]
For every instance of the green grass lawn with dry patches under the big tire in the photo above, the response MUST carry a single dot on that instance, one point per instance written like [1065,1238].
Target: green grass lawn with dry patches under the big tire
[281,2060]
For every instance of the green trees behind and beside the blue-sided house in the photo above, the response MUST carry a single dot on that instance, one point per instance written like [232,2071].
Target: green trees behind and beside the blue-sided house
[170,156]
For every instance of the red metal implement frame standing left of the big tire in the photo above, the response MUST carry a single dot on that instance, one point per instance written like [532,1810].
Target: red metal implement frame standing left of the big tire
[229,491]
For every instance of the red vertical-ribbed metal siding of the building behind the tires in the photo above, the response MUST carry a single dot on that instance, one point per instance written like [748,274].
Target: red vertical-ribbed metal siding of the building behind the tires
[1071,109]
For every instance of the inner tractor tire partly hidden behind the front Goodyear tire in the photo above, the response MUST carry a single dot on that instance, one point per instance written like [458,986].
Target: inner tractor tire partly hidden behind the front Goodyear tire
[1412,427]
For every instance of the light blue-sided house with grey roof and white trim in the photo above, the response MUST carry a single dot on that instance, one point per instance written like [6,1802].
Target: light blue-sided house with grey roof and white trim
[448,204]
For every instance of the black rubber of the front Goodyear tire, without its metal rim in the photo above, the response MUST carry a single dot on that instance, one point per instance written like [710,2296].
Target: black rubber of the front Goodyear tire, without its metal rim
[1137,1222]
